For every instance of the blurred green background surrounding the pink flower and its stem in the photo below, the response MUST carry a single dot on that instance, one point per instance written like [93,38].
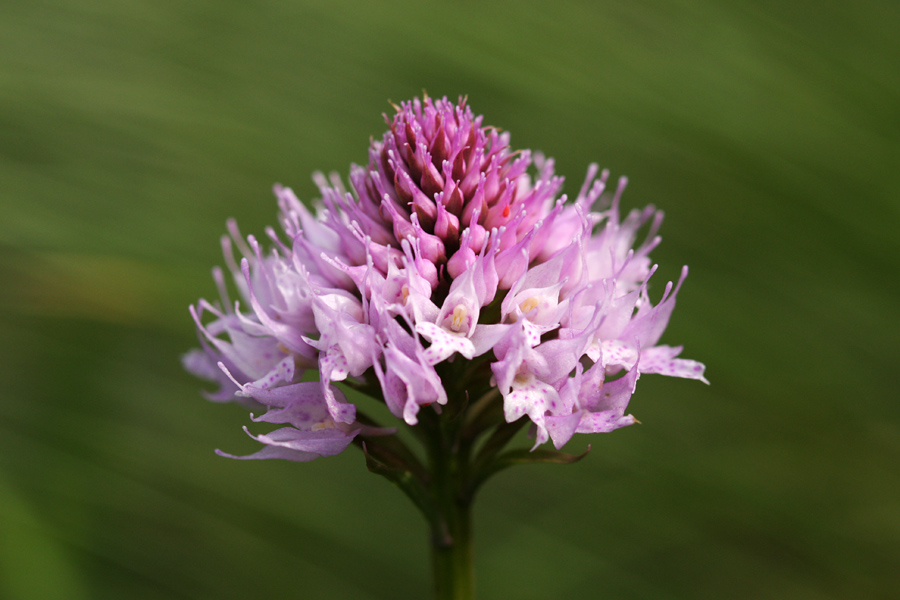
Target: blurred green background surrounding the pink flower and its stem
[768,131]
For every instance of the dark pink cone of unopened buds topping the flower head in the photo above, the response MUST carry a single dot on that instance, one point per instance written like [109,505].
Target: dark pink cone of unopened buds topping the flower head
[442,181]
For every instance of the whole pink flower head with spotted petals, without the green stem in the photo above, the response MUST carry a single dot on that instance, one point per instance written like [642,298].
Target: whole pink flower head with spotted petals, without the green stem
[448,247]
